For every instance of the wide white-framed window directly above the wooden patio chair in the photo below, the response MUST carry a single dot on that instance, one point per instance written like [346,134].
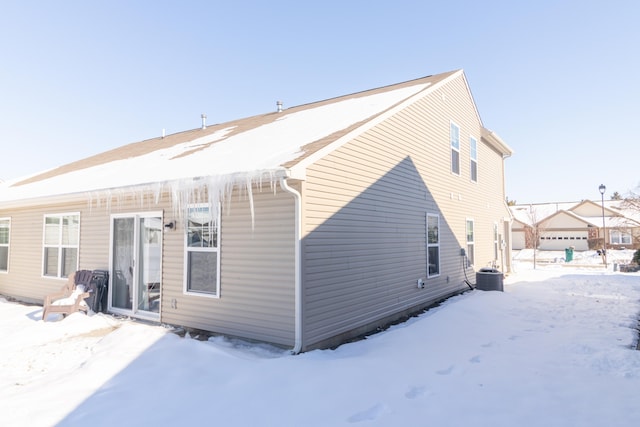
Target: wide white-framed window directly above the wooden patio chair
[60,244]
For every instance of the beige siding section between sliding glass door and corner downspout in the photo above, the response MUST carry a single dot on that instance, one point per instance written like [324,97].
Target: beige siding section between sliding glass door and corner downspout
[257,272]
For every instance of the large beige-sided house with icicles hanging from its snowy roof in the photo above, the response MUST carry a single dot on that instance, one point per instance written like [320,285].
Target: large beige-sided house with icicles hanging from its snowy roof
[304,227]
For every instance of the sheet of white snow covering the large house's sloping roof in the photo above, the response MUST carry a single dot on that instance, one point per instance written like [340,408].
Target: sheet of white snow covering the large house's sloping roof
[226,152]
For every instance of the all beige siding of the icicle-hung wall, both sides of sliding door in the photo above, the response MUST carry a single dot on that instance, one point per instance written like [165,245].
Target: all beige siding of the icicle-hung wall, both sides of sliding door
[257,262]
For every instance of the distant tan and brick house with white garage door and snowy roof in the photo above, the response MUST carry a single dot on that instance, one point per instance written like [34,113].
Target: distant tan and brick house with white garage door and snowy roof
[577,224]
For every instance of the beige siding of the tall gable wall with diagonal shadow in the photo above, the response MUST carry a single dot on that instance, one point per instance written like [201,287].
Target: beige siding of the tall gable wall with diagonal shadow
[365,207]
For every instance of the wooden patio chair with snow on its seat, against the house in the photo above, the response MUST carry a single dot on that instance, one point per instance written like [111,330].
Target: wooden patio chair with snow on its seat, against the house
[71,297]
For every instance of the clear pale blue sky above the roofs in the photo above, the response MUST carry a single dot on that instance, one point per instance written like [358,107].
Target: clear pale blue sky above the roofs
[557,80]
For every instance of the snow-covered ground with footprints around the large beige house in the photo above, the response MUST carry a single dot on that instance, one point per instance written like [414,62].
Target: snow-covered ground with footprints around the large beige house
[557,348]
